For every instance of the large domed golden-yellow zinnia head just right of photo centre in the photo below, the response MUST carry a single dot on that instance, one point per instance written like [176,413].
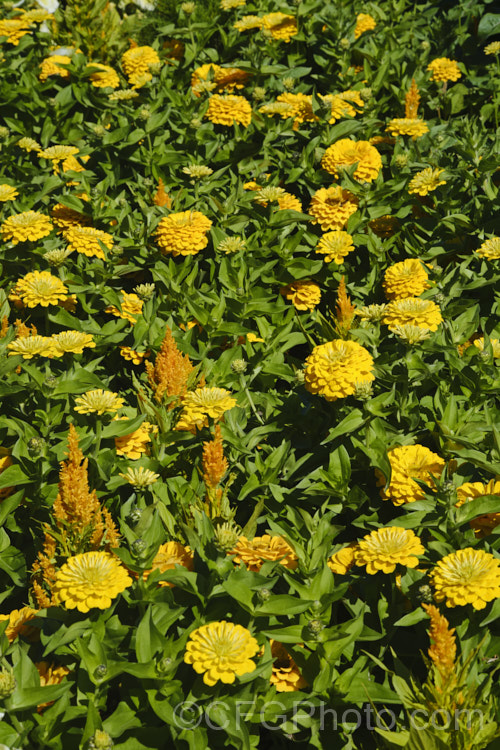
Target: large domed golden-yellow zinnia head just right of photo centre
[334,369]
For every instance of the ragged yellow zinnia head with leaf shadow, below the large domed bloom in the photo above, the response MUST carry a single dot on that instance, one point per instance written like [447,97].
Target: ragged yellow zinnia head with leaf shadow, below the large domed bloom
[409,462]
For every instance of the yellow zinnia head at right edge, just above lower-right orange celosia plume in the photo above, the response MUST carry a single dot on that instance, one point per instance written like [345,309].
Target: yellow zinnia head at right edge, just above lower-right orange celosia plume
[468,576]
